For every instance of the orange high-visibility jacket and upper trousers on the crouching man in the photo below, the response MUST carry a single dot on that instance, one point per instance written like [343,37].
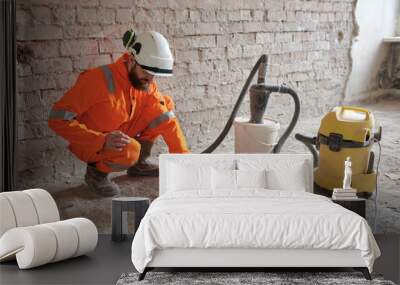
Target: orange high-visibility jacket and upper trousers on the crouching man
[103,100]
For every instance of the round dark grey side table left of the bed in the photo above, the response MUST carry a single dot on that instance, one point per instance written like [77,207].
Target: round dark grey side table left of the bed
[119,207]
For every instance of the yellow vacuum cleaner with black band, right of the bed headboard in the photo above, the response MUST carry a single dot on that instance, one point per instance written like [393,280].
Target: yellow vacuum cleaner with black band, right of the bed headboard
[345,131]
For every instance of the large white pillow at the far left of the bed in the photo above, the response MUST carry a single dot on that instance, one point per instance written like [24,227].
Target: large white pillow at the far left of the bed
[188,177]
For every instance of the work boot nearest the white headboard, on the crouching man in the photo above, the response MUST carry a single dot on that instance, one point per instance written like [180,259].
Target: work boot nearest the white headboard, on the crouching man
[142,166]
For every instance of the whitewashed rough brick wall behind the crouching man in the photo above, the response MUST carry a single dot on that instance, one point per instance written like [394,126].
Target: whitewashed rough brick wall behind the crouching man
[215,44]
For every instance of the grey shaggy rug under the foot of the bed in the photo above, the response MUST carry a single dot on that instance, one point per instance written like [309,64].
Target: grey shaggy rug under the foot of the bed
[229,278]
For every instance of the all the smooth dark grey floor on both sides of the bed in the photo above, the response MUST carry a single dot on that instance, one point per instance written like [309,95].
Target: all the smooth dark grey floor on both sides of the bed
[110,259]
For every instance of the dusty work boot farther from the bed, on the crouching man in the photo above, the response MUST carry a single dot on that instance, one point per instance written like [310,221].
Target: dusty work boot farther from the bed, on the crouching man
[100,183]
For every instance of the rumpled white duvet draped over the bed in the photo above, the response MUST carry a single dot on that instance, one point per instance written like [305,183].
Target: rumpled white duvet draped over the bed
[250,219]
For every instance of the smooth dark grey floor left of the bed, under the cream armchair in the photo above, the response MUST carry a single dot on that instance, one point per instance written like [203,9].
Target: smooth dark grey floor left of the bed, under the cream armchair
[102,266]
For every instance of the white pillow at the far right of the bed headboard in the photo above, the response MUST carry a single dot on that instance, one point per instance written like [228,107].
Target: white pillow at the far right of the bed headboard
[293,178]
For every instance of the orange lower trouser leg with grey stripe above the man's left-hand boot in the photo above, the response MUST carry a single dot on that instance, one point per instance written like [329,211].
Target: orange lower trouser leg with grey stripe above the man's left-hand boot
[114,161]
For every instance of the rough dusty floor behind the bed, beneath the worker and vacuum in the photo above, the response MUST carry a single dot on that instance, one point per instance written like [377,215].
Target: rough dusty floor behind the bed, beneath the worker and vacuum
[75,200]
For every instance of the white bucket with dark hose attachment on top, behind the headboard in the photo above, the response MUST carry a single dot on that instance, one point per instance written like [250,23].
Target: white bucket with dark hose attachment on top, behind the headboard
[255,138]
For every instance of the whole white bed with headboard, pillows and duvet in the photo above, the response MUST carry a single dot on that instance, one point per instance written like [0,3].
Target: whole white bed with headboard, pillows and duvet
[204,219]
